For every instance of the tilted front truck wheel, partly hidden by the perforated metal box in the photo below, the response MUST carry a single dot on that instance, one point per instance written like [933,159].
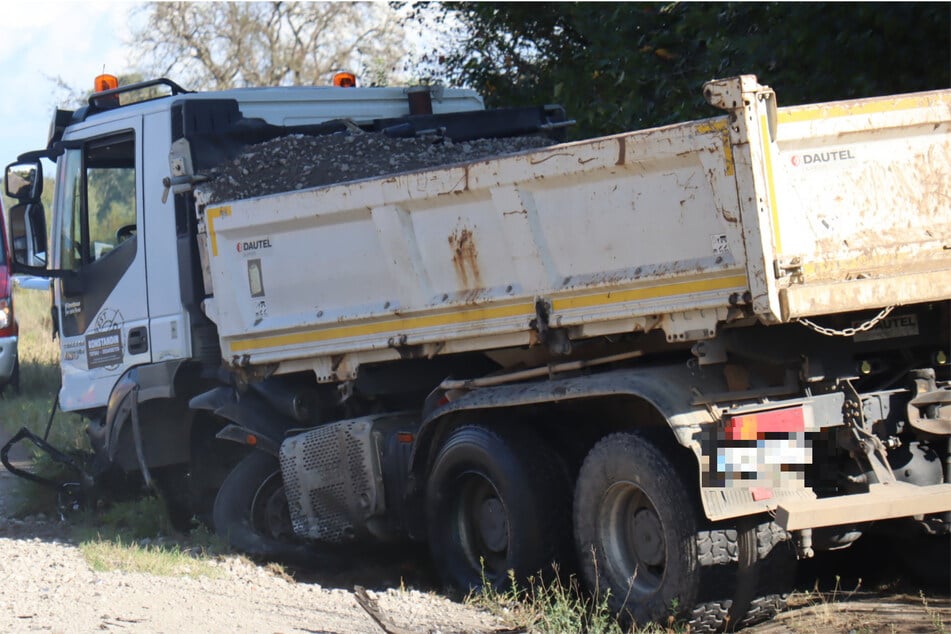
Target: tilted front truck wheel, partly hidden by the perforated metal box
[251,511]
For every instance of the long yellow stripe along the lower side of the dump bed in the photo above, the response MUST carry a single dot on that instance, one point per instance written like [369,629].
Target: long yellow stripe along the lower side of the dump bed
[475,315]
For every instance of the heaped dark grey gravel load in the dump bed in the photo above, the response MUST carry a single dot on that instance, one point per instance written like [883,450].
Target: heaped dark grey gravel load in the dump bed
[302,162]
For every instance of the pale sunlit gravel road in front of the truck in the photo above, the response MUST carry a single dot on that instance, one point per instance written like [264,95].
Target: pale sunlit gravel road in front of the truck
[47,585]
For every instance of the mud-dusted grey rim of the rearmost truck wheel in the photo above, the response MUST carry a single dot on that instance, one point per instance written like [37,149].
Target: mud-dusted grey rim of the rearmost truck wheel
[632,537]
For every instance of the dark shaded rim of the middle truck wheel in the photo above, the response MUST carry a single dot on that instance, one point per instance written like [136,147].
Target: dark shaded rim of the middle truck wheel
[482,525]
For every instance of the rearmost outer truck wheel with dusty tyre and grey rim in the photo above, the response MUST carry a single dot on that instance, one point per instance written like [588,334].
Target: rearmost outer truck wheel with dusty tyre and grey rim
[636,531]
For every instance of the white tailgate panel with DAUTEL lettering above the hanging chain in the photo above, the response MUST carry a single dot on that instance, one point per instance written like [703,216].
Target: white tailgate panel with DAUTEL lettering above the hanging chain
[861,204]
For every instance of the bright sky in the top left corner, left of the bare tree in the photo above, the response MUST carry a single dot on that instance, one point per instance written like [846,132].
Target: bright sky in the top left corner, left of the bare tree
[41,41]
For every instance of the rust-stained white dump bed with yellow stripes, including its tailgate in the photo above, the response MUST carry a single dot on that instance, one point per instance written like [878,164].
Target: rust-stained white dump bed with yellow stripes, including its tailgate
[781,213]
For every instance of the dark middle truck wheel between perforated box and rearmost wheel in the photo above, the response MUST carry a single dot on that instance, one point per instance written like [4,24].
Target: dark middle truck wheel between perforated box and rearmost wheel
[497,501]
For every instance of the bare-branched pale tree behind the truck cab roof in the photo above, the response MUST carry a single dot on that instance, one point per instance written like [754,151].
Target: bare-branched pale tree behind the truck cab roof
[218,45]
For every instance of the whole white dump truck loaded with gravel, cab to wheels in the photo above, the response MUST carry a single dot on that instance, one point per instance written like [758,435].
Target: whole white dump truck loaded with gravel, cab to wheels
[671,360]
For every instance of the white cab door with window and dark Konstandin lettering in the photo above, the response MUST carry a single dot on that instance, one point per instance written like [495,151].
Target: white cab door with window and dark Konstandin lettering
[102,300]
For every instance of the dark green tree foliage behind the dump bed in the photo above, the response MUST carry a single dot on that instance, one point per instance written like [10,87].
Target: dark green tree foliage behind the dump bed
[622,66]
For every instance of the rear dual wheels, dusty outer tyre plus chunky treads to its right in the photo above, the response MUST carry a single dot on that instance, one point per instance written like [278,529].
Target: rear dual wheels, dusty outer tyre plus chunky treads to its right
[645,547]
